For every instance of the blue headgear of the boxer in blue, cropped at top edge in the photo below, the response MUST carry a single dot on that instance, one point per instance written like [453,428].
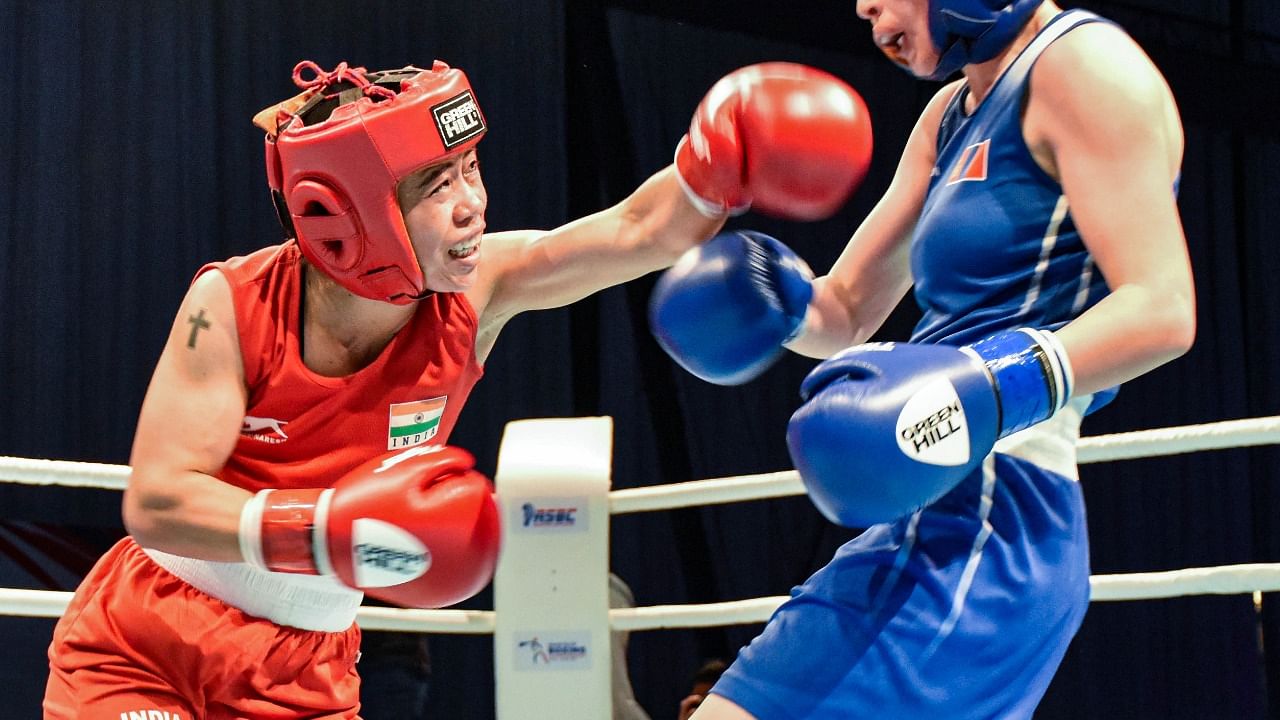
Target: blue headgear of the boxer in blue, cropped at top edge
[975,31]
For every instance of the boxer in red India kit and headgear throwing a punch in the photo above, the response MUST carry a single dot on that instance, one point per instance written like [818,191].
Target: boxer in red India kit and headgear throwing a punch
[290,455]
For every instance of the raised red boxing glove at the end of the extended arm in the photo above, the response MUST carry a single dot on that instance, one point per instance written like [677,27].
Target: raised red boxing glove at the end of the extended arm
[787,139]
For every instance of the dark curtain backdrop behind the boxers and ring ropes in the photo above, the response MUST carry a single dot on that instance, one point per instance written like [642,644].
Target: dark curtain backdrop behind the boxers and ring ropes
[127,161]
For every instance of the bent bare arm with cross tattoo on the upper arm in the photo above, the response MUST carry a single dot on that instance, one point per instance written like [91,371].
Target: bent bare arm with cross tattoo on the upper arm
[189,426]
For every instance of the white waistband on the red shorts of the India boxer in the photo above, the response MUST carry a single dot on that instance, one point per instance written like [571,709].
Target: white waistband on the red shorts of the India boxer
[308,603]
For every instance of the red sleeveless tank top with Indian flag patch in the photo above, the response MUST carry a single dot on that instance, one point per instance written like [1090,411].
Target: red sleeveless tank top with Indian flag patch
[304,430]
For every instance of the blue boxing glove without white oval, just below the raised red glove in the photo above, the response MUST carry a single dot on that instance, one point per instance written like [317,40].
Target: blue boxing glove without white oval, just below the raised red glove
[725,309]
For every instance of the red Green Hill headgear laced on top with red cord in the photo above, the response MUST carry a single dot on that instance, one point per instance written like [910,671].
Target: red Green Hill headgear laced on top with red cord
[339,151]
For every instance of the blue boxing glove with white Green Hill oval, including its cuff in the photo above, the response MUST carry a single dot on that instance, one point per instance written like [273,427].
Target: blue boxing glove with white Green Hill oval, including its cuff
[889,429]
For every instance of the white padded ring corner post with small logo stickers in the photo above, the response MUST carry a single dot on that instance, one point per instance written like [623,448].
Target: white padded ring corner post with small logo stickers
[552,650]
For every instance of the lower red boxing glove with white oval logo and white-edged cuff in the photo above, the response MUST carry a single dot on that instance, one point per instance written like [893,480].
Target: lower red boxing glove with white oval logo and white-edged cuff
[418,528]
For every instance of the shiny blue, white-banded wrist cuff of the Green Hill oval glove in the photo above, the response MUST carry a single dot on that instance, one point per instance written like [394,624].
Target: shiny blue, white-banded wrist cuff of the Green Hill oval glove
[1031,373]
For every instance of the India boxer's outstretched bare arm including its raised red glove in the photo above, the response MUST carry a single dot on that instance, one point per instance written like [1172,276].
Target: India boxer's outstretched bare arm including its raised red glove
[785,139]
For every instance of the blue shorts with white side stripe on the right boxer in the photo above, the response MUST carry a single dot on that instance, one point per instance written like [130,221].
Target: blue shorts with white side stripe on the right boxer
[963,610]
